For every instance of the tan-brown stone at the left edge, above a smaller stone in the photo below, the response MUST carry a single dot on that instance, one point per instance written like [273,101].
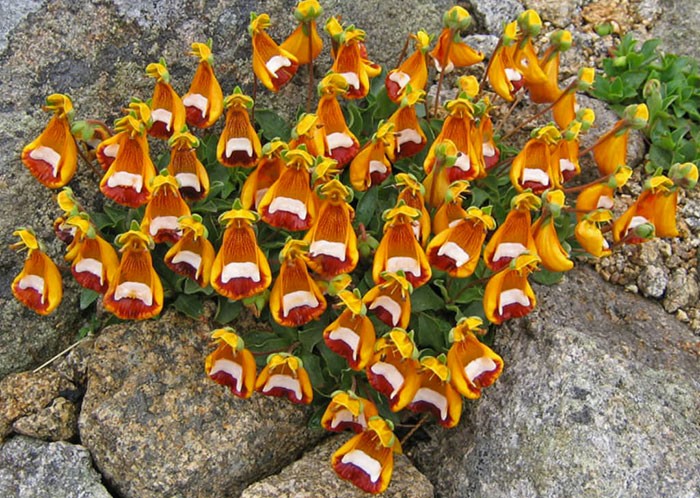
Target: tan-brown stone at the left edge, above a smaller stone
[26,394]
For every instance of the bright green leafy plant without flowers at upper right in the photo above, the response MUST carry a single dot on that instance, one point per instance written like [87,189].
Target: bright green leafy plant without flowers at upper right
[670,86]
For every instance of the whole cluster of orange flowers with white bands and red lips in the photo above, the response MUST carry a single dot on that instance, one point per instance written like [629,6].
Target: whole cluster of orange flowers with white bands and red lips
[295,186]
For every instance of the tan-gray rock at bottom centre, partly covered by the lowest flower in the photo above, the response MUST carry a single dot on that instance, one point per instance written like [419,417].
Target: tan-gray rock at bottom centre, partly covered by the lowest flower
[312,476]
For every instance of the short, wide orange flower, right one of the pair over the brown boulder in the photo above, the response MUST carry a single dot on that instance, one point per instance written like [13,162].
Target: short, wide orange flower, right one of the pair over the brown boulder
[285,376]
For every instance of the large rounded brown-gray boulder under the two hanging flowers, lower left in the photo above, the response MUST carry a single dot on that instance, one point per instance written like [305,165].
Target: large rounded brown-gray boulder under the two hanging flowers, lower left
[179,433]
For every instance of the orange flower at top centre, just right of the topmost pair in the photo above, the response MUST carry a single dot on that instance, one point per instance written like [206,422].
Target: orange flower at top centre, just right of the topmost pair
[352,65]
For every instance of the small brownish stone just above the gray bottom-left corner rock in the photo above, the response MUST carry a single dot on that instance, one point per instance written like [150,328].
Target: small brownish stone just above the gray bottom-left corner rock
[57,422]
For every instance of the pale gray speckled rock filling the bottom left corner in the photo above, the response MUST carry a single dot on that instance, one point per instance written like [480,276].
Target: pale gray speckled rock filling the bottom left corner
[34,469]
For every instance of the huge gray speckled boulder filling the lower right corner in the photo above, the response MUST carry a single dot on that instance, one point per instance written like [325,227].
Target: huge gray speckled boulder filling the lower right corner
[598,398]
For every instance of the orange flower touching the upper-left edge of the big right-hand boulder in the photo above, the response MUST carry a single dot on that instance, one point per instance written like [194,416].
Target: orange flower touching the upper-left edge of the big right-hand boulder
[508,293]
